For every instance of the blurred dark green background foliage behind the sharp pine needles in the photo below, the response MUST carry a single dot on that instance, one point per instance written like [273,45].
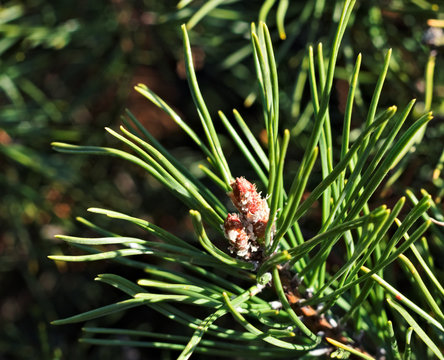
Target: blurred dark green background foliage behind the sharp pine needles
[66,70]
